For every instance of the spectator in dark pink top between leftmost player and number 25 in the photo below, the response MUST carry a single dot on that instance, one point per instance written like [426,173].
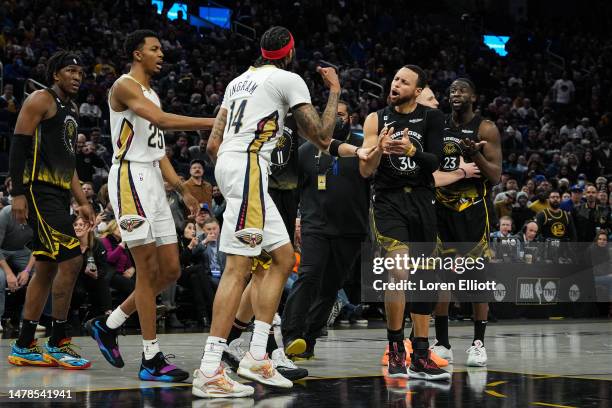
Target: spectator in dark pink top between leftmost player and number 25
[122,277]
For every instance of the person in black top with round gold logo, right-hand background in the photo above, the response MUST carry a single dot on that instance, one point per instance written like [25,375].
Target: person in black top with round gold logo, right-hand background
[555,223]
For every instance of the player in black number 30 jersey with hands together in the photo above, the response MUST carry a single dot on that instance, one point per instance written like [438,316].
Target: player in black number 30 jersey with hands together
[408,137]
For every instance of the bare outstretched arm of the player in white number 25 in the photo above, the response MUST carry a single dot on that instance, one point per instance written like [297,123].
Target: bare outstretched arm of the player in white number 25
[127,94]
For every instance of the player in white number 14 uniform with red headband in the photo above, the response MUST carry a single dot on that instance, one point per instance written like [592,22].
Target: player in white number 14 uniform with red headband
[244,134]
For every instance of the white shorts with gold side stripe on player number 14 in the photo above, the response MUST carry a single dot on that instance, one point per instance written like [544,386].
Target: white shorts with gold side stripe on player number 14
[251,221]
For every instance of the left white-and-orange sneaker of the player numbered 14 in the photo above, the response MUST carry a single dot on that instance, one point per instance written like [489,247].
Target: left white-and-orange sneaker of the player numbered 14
[220,385]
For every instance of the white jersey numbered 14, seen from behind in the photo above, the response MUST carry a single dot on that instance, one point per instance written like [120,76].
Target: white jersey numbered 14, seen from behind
[257,102]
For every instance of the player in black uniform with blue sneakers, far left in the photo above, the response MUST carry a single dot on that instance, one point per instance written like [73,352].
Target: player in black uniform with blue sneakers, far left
[42,166]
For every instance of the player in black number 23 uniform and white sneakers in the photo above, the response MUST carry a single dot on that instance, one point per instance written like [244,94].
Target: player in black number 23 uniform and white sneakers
[463,208]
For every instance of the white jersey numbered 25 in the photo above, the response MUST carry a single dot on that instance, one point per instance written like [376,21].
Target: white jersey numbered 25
[135,138]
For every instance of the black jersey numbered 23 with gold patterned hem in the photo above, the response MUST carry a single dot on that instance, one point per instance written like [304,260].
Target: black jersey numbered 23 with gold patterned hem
[463,193]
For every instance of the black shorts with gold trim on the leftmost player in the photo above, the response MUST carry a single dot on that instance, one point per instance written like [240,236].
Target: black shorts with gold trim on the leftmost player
[49,217]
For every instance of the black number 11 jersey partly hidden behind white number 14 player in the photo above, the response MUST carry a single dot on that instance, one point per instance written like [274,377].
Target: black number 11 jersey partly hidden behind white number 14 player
[284,158]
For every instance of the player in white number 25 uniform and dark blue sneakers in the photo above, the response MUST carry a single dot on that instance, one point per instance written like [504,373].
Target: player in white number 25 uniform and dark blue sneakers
[136,190]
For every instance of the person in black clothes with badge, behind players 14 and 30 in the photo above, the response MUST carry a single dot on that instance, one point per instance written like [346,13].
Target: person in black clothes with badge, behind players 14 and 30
[334,201]
